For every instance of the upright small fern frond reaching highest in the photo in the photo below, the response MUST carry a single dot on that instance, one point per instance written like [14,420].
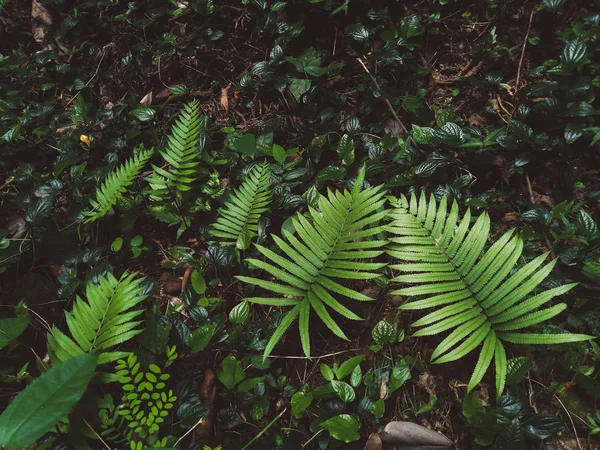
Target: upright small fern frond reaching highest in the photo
[182,154]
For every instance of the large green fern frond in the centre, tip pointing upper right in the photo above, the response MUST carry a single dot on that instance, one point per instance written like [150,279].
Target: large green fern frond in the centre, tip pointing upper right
[329,244]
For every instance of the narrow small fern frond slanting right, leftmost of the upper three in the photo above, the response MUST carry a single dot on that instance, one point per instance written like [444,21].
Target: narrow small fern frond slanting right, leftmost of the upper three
[116,185]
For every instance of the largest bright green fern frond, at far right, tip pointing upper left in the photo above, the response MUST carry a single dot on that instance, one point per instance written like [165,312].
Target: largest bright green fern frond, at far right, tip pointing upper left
[444,259]
